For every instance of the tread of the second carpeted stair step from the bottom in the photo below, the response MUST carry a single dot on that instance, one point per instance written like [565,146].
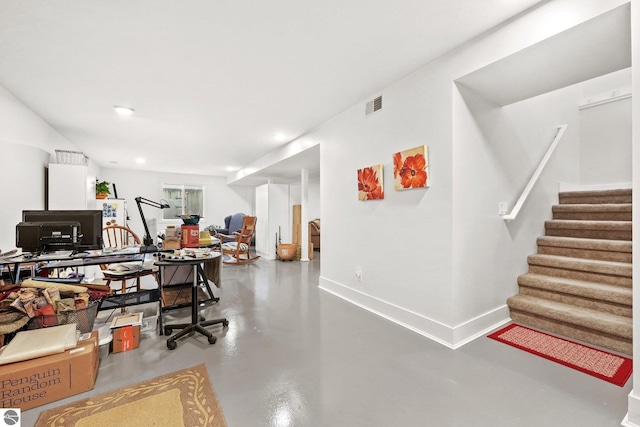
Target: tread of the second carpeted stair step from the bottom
[580,288]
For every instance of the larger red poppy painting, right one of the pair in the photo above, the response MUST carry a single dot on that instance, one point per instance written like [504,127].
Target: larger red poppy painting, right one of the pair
[411,168]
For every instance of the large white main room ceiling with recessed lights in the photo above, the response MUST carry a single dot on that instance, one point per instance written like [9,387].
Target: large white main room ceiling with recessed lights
[217,79]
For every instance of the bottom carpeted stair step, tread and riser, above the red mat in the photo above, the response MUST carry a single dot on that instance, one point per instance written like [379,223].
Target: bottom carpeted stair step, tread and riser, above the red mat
[603,329]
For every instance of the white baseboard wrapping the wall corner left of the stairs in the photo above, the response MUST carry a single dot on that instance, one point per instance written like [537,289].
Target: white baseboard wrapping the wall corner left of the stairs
[452,337]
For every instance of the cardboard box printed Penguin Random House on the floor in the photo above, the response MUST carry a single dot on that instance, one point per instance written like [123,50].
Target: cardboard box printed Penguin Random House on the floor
[36,382]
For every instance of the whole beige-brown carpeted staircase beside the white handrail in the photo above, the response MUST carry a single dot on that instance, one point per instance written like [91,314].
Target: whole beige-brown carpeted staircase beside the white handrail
[579,282]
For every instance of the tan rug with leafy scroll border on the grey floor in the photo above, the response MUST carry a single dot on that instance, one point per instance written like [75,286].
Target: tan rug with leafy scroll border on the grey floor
[182,398]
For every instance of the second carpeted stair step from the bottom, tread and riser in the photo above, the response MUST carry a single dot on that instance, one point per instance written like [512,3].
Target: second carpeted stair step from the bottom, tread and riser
[607,298]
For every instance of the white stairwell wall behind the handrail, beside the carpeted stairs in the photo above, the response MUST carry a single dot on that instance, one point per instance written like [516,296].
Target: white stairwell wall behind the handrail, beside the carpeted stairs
[503,145]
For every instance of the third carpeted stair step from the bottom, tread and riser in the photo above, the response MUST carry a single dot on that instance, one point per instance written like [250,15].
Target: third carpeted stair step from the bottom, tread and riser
[612,273]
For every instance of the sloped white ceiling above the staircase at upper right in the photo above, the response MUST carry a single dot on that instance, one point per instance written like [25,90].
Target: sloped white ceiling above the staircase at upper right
[599,46]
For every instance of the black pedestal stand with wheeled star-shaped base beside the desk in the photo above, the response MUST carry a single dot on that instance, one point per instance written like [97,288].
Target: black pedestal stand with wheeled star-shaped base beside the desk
[196,324]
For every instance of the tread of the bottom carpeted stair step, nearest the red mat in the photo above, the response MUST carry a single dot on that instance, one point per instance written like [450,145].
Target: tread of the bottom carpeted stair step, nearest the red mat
[591,319]
